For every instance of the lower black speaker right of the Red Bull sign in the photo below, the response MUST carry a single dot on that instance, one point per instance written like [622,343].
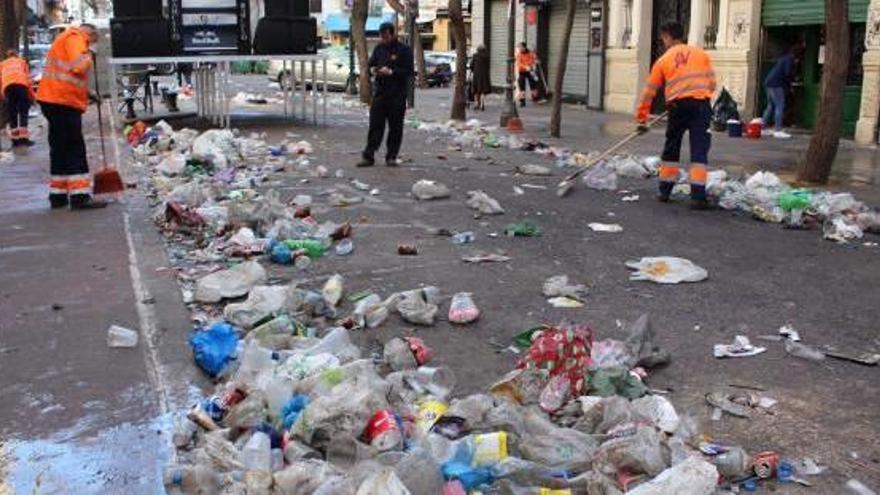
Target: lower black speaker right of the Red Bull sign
[286,36]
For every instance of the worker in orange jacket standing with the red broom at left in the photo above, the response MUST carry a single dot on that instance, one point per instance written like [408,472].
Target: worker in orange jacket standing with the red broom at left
[64,96]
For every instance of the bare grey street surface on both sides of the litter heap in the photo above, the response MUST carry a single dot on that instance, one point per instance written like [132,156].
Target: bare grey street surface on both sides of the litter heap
[82,418]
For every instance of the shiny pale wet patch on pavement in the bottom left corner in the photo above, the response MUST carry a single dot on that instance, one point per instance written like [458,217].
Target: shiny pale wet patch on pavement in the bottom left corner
[127,458]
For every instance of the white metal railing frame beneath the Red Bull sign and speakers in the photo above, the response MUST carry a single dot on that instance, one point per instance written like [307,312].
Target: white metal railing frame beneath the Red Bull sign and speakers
[212,76]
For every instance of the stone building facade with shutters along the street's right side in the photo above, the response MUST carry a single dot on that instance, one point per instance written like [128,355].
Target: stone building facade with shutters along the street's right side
[744,38]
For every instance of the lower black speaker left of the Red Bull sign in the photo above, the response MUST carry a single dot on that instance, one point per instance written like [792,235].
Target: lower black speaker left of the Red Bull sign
[140,37]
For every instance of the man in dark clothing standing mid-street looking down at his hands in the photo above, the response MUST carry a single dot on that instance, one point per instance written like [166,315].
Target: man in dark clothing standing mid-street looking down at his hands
[391,65]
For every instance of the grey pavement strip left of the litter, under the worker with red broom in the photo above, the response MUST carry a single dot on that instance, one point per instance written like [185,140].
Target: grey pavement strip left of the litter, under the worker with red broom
[77,416]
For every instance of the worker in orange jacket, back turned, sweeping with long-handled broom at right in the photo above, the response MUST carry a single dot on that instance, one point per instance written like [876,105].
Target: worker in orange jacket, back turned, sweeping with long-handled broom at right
[687,73]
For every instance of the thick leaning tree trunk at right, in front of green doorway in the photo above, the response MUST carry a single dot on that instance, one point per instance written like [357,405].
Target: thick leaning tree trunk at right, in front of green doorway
[816,166]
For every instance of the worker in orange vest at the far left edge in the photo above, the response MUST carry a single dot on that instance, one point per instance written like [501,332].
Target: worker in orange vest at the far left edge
[17,89]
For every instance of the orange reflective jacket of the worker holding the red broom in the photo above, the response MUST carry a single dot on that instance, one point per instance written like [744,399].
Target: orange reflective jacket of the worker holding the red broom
[66,74]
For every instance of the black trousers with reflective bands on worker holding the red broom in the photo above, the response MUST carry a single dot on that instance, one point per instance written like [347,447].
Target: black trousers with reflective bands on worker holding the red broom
[67,152]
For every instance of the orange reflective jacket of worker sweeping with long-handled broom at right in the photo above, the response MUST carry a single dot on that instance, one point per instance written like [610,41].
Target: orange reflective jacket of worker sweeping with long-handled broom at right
[687,73]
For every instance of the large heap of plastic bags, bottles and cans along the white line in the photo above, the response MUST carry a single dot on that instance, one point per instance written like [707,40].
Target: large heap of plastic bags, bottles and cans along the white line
[297,408]
